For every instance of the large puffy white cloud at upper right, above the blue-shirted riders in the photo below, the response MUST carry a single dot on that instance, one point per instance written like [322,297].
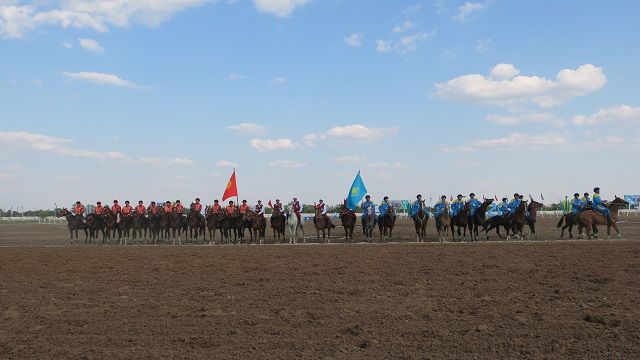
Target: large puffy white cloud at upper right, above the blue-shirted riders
[476,88]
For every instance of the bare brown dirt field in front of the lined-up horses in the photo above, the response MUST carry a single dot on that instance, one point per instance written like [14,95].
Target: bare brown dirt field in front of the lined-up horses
[550,298]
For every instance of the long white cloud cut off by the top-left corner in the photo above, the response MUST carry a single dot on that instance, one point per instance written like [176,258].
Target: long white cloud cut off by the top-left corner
[17,20]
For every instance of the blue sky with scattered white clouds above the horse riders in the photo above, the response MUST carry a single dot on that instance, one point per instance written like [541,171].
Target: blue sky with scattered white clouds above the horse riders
[161,100]
